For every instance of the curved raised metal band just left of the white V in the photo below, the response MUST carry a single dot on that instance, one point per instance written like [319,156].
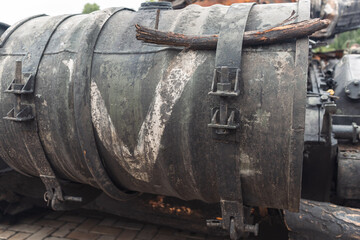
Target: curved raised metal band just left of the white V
[81,104]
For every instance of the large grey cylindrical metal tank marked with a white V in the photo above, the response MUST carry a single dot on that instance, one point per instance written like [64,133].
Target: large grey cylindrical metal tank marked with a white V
[110,110]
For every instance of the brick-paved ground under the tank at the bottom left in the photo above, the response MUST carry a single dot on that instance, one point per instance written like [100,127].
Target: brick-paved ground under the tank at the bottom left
[40,224]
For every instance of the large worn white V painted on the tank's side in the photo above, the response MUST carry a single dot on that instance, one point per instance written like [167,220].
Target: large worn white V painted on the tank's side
[167,93]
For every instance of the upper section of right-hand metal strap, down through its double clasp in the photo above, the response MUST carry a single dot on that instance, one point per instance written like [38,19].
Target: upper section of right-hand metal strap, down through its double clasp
[226,78]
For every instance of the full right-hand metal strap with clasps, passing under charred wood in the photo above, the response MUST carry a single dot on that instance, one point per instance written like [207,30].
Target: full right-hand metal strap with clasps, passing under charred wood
[228,63]
